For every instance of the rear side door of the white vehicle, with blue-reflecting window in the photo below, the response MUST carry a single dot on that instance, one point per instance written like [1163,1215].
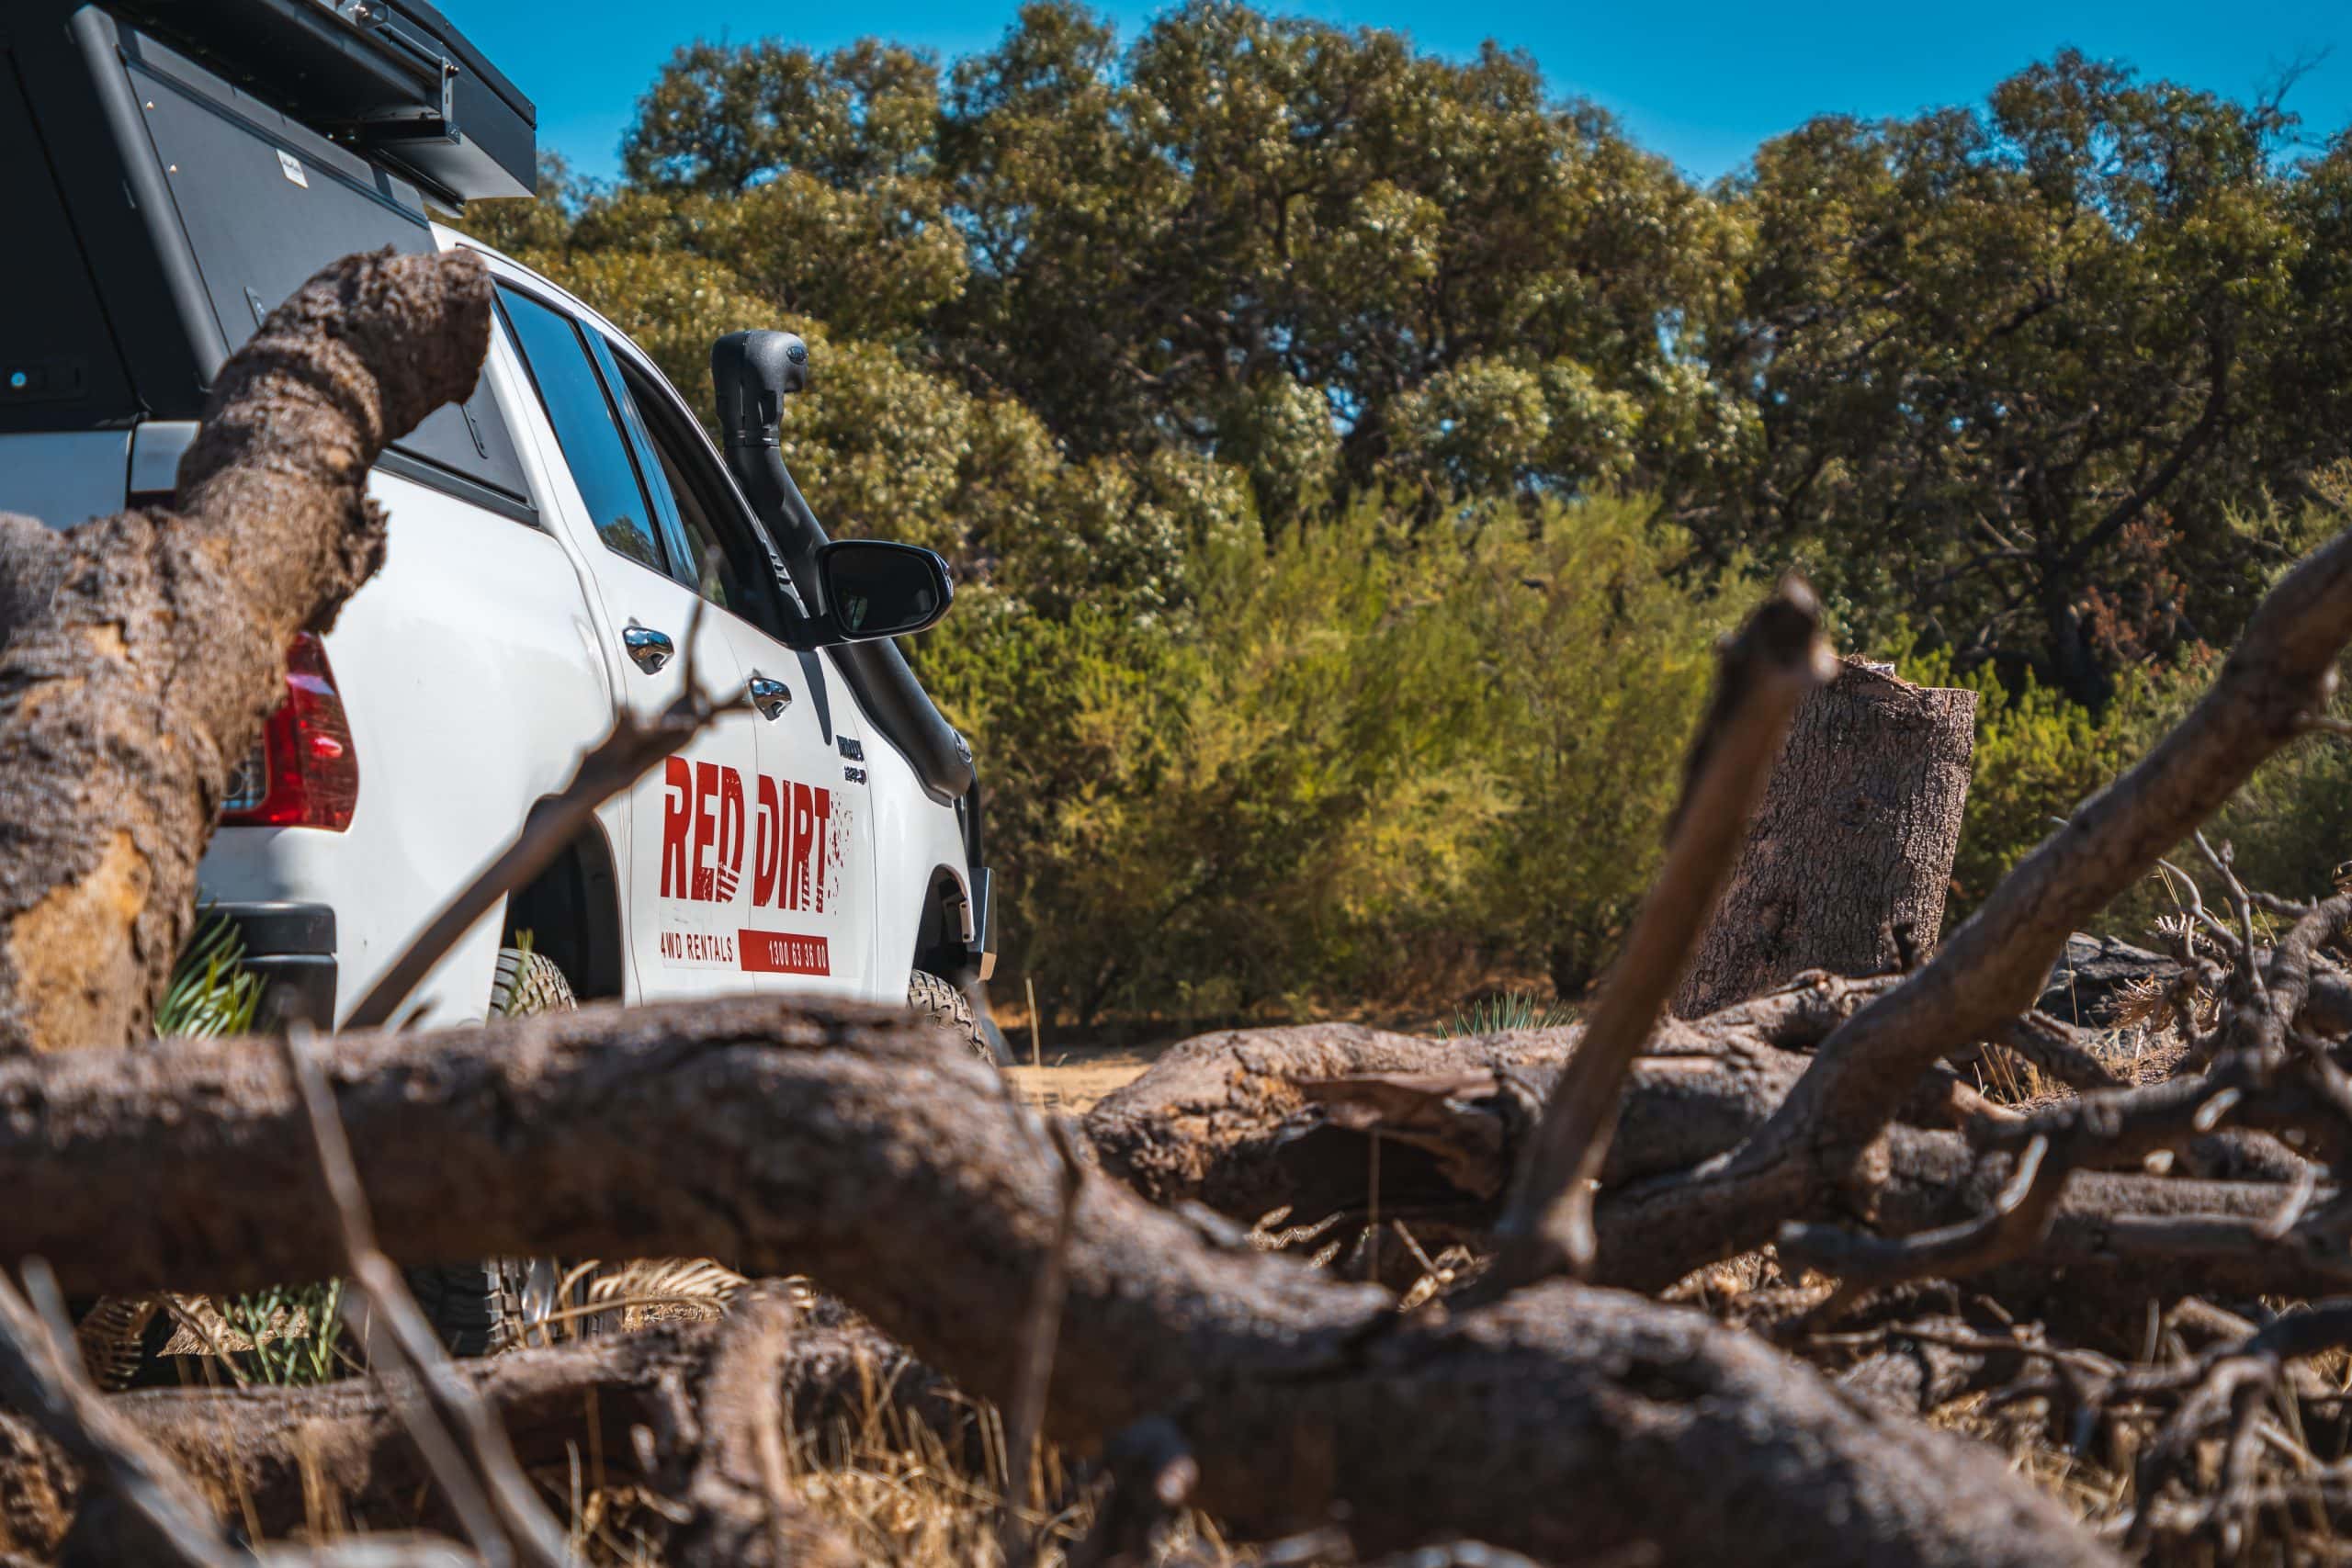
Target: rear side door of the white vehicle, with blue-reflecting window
[688,859]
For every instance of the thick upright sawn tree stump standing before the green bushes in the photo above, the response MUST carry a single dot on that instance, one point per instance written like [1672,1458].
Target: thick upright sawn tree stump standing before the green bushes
[1852,845]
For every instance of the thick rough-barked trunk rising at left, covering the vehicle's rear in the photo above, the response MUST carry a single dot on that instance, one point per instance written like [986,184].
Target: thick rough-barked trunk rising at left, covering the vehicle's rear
[142,652]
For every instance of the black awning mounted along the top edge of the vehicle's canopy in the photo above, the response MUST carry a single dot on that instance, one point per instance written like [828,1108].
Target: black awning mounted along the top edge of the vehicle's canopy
[389,79]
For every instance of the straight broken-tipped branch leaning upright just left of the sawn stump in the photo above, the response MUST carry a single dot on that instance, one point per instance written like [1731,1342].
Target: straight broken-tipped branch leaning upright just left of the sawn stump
[1763,676]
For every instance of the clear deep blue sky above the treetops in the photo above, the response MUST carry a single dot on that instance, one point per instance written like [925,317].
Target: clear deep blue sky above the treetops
[1702,81]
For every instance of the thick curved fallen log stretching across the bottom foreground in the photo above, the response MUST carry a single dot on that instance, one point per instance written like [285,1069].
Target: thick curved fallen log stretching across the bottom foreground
[895,1170]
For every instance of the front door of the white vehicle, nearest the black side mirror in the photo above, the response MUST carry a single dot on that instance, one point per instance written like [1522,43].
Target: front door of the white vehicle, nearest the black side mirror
[813,864]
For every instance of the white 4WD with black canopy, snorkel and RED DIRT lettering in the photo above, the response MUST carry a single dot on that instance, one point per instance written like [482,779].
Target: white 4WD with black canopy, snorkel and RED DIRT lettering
[180,168]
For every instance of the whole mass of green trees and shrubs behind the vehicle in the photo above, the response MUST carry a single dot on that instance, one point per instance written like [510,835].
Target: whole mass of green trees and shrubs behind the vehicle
[1349,453]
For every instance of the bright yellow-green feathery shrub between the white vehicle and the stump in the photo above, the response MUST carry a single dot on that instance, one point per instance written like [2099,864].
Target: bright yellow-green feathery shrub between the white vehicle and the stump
[1354,763]
